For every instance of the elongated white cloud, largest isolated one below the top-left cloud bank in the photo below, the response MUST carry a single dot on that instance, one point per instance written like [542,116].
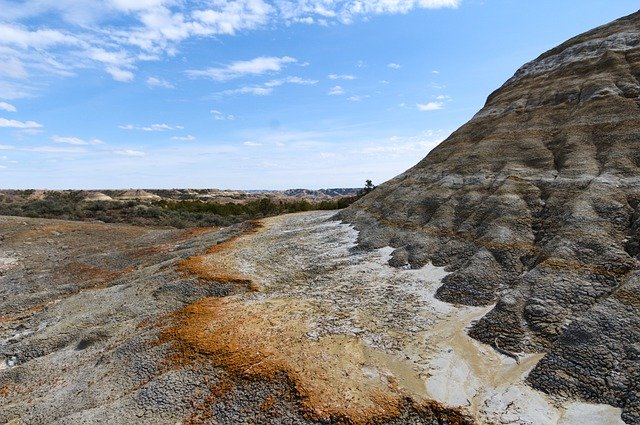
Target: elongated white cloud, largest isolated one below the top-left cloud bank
[257,66]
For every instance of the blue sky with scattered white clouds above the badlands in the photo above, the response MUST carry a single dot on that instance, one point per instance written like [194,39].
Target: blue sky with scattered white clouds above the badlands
[254,94]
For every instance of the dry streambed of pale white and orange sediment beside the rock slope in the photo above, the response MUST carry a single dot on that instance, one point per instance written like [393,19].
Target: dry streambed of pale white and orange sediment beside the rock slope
[354,335]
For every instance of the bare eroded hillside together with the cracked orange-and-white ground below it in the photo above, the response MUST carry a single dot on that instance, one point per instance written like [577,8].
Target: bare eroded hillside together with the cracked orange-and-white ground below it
[495,282]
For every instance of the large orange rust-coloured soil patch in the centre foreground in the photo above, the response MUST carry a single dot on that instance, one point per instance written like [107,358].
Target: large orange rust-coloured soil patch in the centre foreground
[262,340]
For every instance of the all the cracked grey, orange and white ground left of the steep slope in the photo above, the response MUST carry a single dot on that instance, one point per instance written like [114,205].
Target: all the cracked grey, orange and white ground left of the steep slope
[279,321]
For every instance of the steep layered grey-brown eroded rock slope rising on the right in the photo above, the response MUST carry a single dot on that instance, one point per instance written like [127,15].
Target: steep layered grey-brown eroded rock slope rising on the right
[535,206]
